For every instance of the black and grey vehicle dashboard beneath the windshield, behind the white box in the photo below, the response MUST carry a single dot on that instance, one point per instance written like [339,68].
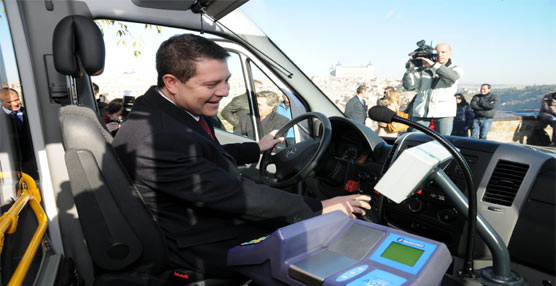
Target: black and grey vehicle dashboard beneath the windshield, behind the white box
[515,187]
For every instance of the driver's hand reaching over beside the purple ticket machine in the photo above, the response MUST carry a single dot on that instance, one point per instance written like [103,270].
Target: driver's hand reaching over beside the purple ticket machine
[350,205]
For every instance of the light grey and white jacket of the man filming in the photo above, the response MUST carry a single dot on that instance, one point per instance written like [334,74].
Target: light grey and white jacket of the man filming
[435,87]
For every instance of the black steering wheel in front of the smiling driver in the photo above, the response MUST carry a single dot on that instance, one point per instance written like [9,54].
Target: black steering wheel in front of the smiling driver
[298,161]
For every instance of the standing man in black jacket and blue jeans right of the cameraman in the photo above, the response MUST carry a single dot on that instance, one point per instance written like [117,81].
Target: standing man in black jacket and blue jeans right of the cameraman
[484,107]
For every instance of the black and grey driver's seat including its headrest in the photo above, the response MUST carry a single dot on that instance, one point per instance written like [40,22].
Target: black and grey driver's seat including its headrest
[124,241]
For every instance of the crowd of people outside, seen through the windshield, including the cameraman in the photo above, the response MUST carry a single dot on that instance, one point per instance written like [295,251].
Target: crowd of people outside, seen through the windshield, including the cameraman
[436,103]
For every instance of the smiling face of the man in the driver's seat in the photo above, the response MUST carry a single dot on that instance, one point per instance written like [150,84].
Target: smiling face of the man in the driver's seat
[201,94]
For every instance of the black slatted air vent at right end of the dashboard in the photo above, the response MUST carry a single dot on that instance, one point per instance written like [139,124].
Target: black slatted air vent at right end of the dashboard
[505,182]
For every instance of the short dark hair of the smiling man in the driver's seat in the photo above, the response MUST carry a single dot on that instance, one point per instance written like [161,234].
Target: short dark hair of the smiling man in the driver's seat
[179,55]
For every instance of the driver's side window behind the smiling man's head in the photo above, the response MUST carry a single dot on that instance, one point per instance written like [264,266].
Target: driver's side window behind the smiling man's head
[130,70]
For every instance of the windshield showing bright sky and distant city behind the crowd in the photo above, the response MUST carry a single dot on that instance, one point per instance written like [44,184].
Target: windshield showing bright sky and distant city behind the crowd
[341,45]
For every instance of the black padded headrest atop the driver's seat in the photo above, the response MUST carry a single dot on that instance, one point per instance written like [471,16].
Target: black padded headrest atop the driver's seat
[78,39]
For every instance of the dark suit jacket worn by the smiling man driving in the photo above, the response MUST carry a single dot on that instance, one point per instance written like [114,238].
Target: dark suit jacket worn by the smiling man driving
[191,183]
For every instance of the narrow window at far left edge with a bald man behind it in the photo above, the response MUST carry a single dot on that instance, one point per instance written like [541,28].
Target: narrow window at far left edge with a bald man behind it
[16,148]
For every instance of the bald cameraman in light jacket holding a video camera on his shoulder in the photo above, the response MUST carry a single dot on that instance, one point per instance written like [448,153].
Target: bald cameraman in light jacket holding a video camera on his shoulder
[436,84]
